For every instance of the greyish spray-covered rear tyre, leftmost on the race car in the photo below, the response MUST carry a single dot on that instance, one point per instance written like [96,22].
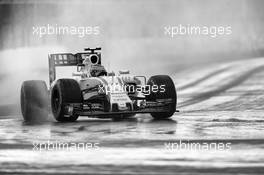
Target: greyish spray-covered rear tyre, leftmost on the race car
[34,101]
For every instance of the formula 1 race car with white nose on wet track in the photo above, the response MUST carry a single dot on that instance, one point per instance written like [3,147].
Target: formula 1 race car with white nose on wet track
[94,92]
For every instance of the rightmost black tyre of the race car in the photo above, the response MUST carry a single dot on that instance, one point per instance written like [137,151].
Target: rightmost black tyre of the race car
[169,92]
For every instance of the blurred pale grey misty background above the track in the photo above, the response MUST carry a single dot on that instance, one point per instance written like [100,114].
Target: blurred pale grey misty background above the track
[131,35]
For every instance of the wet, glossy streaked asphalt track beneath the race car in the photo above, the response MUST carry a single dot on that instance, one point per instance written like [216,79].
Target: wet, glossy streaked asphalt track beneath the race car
[218,103]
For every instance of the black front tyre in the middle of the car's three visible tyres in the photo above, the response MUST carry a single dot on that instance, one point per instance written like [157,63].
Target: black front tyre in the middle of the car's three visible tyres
[65,91]
